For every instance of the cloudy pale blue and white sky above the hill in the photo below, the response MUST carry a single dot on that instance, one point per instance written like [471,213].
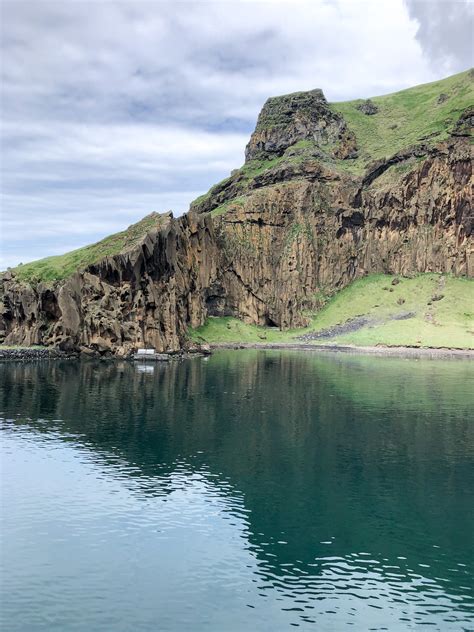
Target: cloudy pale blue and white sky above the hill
[113,109]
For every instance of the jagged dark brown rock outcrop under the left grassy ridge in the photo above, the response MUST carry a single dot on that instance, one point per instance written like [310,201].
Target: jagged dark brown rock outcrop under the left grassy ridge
[145,297]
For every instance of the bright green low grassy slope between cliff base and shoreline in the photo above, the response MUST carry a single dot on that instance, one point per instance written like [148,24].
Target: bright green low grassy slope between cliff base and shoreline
[434,311]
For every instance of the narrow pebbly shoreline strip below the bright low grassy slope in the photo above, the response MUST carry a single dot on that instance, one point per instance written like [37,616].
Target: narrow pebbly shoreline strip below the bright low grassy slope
[395,351]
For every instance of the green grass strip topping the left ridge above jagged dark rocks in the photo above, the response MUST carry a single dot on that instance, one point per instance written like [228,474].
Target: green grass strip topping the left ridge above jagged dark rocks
[62,266]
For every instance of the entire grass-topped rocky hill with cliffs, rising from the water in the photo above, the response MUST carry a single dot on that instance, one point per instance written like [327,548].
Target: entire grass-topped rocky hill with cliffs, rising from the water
[330,195]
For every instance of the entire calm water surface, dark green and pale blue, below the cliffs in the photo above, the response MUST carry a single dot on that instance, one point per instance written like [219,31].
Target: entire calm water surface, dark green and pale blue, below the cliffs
[249,491]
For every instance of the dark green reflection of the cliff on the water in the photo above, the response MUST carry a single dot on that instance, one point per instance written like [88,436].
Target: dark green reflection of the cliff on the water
[332,458]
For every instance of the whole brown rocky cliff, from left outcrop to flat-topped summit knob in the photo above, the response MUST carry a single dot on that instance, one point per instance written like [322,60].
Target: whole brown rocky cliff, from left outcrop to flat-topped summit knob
[268,244]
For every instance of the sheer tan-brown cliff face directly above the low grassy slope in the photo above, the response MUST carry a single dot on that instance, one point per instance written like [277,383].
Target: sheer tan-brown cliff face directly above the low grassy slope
[287,245]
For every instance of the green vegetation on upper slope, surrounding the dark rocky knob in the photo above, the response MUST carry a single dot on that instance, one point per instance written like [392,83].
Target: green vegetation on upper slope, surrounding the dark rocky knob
[420,116]
